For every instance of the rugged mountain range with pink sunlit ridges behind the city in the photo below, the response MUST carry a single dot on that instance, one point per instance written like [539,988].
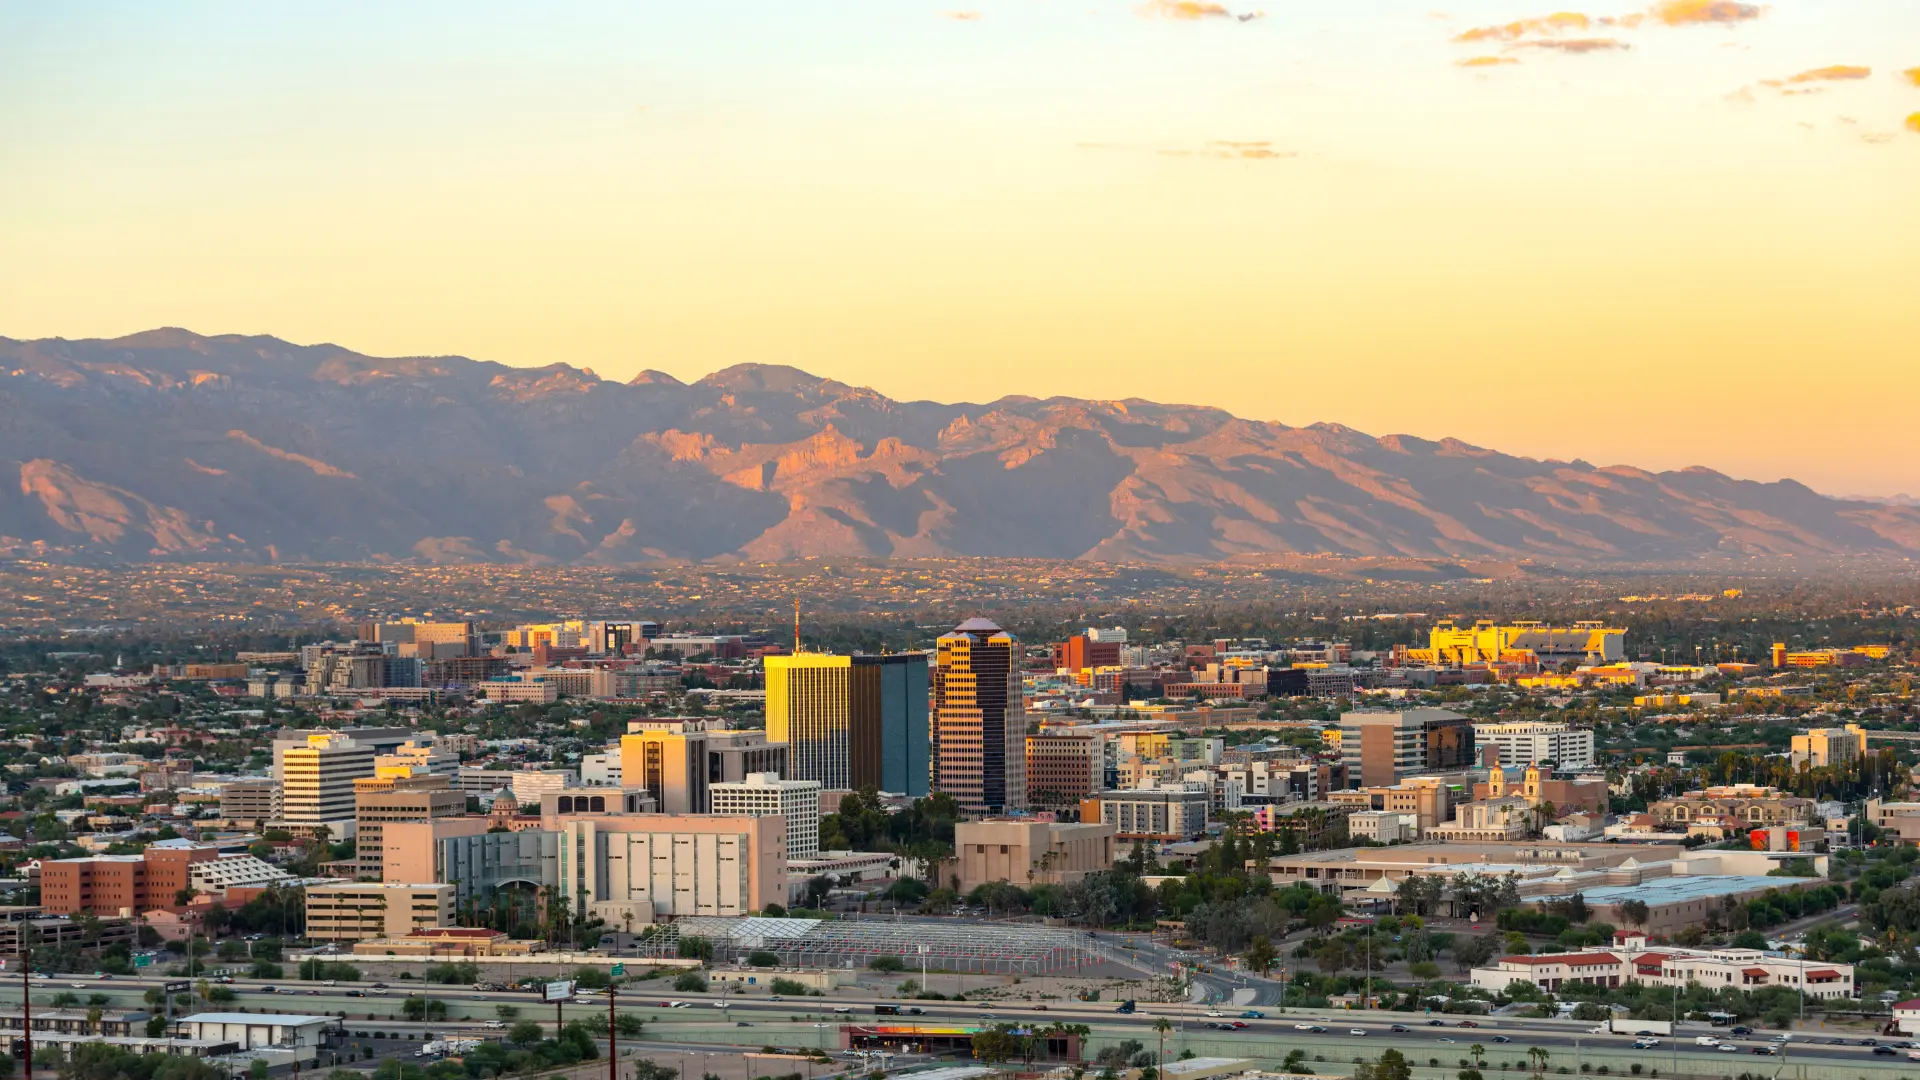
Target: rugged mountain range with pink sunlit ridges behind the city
[172,445]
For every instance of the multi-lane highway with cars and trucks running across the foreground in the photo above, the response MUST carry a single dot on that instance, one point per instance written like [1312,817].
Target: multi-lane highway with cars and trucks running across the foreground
[756,1019]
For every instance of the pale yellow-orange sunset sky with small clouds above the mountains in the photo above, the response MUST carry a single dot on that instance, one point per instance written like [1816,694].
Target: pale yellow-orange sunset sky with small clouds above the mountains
[1666,235]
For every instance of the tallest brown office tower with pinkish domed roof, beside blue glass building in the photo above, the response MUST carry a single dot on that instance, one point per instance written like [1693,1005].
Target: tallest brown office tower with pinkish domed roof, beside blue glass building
[980,720]
